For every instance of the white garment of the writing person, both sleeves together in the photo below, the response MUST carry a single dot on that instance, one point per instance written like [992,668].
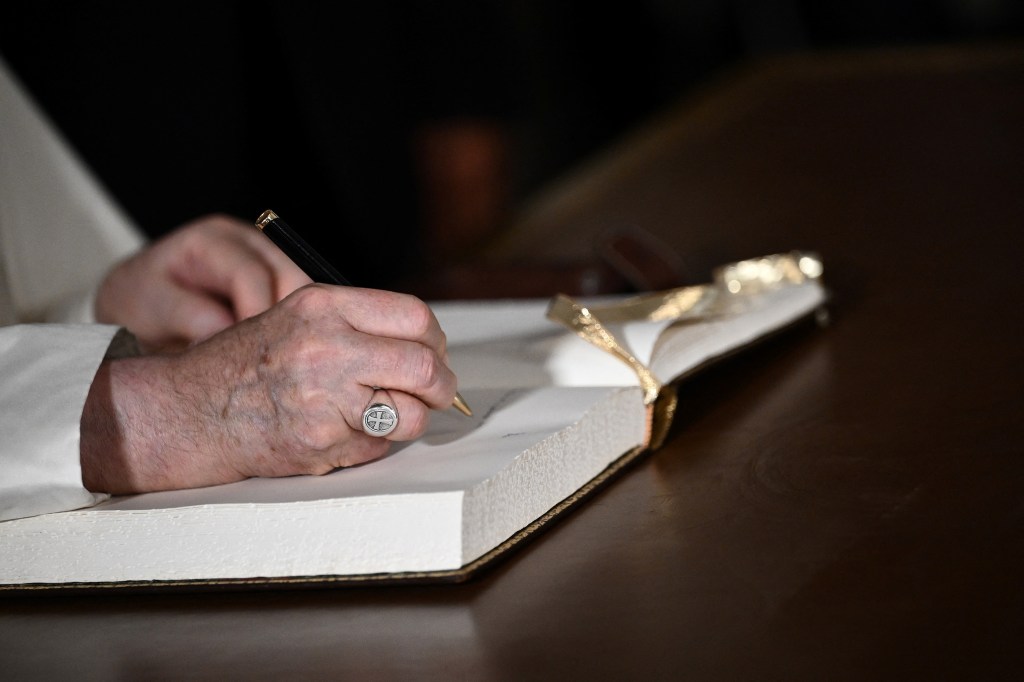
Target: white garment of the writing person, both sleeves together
[60,233]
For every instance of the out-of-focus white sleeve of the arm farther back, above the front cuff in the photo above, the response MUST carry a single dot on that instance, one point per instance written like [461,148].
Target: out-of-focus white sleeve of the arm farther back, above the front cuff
[60,230]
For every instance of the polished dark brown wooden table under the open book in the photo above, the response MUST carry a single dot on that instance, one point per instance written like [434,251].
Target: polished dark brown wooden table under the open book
[843,503]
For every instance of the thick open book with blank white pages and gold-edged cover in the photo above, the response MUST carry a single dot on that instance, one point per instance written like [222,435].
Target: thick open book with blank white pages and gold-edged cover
[565,396]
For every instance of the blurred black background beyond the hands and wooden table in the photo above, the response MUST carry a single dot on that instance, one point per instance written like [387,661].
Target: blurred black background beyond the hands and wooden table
[403,136]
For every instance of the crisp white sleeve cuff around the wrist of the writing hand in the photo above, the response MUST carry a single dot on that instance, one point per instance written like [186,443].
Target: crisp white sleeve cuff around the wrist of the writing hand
[48,371]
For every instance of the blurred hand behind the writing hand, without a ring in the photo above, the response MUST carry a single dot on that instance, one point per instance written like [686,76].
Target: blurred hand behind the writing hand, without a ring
[196,282]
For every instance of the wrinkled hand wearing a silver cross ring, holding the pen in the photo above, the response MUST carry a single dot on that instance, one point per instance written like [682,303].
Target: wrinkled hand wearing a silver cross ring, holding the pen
[279,395]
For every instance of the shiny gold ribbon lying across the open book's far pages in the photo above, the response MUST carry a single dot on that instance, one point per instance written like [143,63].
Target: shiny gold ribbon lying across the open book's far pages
[732,283]
